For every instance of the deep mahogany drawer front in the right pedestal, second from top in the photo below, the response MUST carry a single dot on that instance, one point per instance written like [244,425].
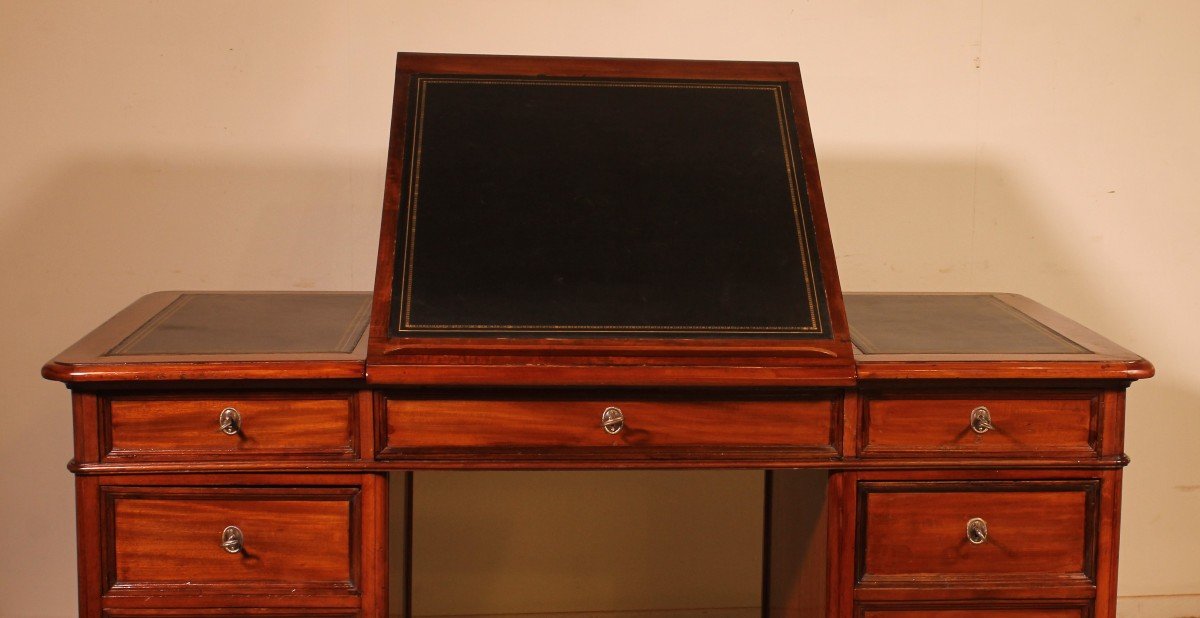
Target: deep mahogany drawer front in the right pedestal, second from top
[977,533]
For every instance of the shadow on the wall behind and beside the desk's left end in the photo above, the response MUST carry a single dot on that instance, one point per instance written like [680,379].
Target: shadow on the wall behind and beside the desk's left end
[86,241]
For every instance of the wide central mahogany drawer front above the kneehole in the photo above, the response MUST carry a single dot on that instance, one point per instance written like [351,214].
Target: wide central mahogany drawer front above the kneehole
[431,425]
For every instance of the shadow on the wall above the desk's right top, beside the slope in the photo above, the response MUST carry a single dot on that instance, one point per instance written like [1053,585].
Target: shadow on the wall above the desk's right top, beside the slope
[934,225]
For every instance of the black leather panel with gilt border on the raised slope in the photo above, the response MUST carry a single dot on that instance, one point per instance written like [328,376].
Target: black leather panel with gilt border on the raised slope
[554,207]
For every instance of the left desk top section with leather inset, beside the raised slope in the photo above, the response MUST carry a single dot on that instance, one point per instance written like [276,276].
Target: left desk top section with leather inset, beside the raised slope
[224,335]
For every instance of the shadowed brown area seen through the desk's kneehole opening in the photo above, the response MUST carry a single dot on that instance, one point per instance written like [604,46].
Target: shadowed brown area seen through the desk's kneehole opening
[532,543]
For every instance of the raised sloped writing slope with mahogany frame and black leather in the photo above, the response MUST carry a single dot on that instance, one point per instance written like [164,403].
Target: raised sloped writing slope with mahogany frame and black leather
[604,221]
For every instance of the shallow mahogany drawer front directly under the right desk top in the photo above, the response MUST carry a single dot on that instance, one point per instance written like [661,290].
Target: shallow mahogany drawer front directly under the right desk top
[1022,424]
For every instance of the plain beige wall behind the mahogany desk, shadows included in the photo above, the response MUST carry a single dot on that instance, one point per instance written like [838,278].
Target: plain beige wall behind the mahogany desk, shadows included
[1042,148]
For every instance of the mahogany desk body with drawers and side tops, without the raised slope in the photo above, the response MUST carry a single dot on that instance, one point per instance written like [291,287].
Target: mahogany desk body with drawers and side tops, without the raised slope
[869,511]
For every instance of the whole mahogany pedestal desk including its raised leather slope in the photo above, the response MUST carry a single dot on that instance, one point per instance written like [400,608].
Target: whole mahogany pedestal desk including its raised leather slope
[621,265]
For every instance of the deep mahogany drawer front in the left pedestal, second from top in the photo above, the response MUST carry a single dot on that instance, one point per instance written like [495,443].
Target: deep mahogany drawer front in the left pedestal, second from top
[169,541]
